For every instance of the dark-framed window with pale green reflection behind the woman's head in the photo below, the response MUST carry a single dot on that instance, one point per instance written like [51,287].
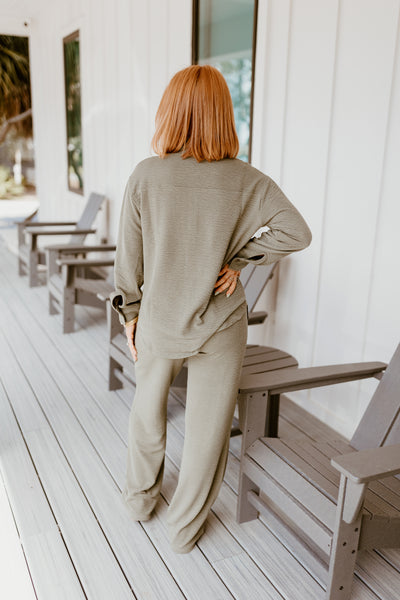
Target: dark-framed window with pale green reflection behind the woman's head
[224,36]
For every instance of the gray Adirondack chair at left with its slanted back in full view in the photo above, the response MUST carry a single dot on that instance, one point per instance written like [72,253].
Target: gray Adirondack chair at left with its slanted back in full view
[30,255]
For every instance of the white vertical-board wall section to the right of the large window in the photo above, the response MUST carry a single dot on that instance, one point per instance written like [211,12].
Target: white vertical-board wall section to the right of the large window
[328,113]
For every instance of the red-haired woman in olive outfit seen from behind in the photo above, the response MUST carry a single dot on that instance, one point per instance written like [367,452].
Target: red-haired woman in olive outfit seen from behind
[186,228]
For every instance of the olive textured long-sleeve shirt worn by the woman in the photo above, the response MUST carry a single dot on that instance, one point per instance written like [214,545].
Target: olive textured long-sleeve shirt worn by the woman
[181,222]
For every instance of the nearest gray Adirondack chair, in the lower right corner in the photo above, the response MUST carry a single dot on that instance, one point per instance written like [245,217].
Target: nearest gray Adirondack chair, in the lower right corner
[325,500]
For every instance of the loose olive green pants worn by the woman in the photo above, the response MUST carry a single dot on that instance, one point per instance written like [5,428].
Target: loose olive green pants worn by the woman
[212,389]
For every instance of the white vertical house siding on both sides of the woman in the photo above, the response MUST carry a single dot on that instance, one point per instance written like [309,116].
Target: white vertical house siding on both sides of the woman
[326,128]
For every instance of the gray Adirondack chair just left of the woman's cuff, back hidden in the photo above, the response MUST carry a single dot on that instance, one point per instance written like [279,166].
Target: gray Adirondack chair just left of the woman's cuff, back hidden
[77,279]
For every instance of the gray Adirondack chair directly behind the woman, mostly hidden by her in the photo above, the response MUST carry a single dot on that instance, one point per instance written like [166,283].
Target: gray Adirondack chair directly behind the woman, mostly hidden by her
[121,367]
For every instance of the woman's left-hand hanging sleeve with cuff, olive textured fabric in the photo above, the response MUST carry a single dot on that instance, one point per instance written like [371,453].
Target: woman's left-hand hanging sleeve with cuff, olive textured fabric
[128,266]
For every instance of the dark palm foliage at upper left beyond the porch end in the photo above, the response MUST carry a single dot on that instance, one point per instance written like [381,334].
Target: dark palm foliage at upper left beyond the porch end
[15,88]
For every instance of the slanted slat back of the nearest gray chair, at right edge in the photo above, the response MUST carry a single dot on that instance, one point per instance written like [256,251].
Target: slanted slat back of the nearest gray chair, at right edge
[380,424]
